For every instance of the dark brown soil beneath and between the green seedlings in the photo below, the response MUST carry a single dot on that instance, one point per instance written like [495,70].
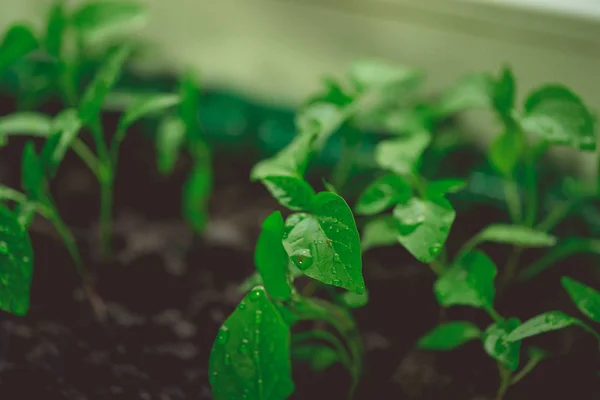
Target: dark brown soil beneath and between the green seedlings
[168,291]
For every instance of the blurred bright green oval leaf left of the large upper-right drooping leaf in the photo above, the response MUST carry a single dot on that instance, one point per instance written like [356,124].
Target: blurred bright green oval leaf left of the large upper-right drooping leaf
[505,151]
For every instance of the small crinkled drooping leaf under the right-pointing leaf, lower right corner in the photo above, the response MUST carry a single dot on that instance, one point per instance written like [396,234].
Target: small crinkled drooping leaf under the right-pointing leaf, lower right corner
[495,343]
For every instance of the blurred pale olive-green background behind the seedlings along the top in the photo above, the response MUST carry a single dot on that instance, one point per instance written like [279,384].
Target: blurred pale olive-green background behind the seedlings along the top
[277,51]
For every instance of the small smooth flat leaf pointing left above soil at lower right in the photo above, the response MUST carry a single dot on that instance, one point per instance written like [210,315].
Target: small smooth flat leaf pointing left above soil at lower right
[449,336]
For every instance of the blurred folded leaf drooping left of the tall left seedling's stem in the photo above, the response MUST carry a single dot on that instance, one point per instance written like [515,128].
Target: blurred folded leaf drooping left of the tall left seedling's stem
[65,128]
